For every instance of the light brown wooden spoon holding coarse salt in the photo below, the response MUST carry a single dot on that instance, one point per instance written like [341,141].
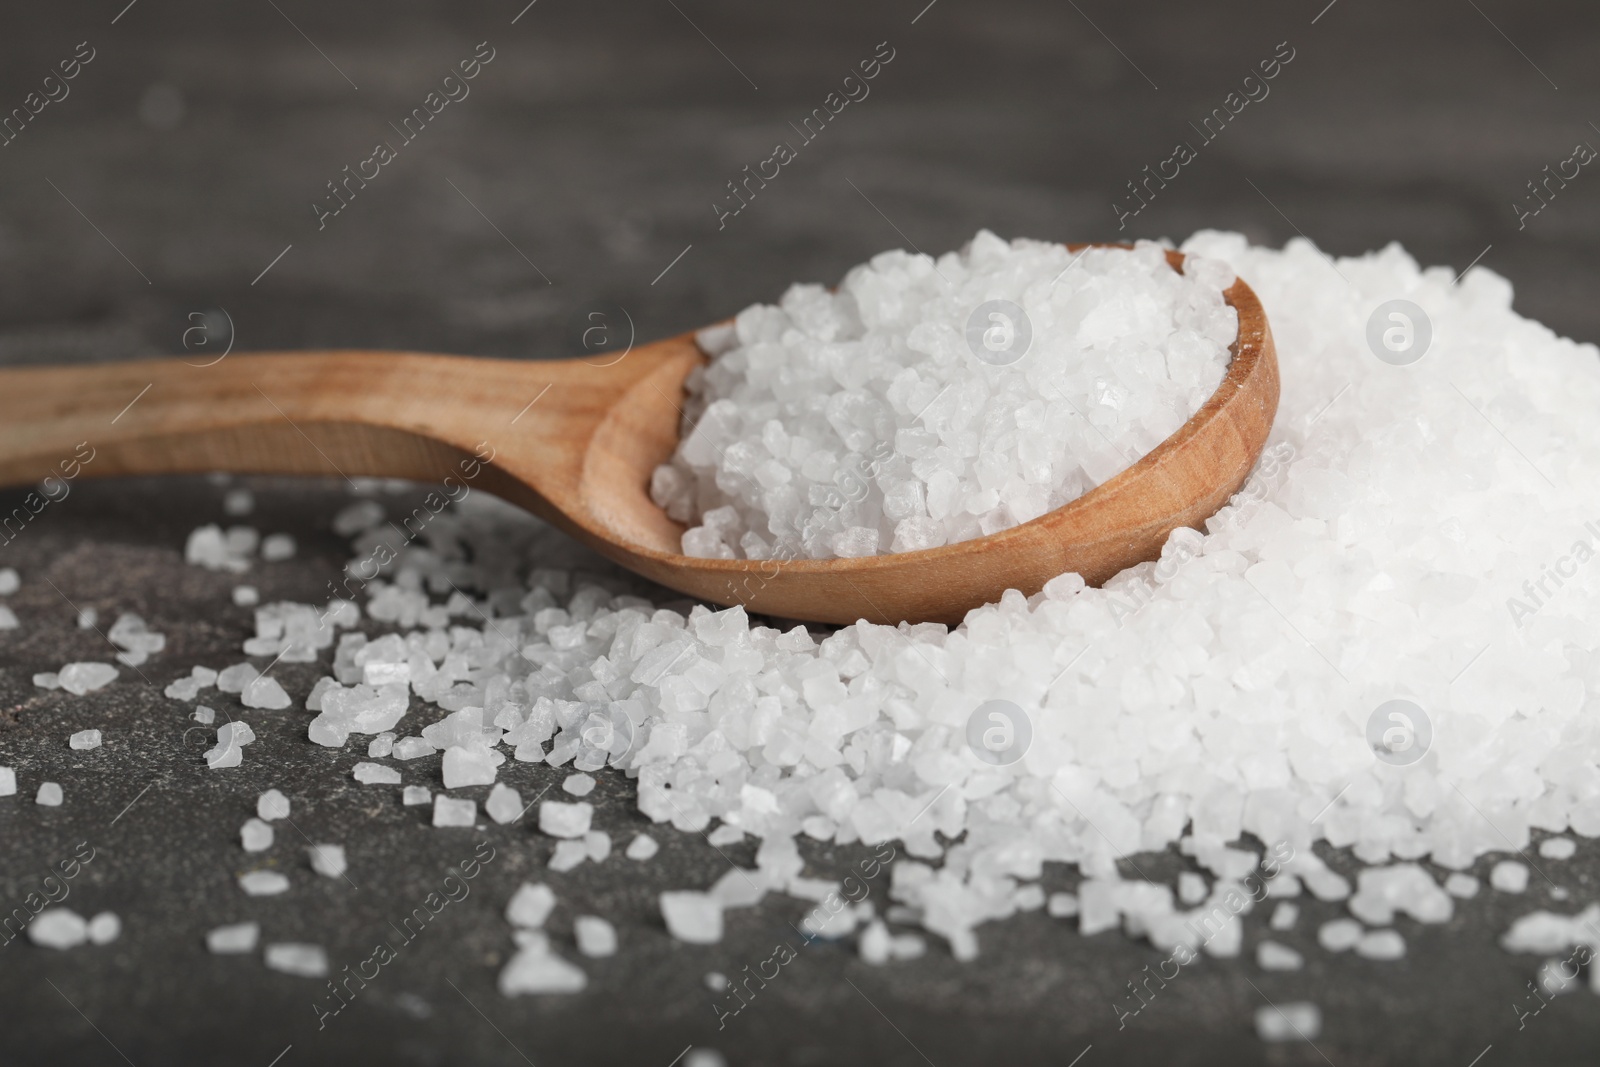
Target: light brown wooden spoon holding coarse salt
[575,442]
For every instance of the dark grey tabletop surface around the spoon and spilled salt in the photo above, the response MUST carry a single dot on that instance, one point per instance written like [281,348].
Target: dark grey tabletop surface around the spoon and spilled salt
[177,178]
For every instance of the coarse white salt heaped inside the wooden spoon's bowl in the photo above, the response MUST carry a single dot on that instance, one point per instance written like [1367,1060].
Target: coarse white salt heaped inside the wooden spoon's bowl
[929,402]
